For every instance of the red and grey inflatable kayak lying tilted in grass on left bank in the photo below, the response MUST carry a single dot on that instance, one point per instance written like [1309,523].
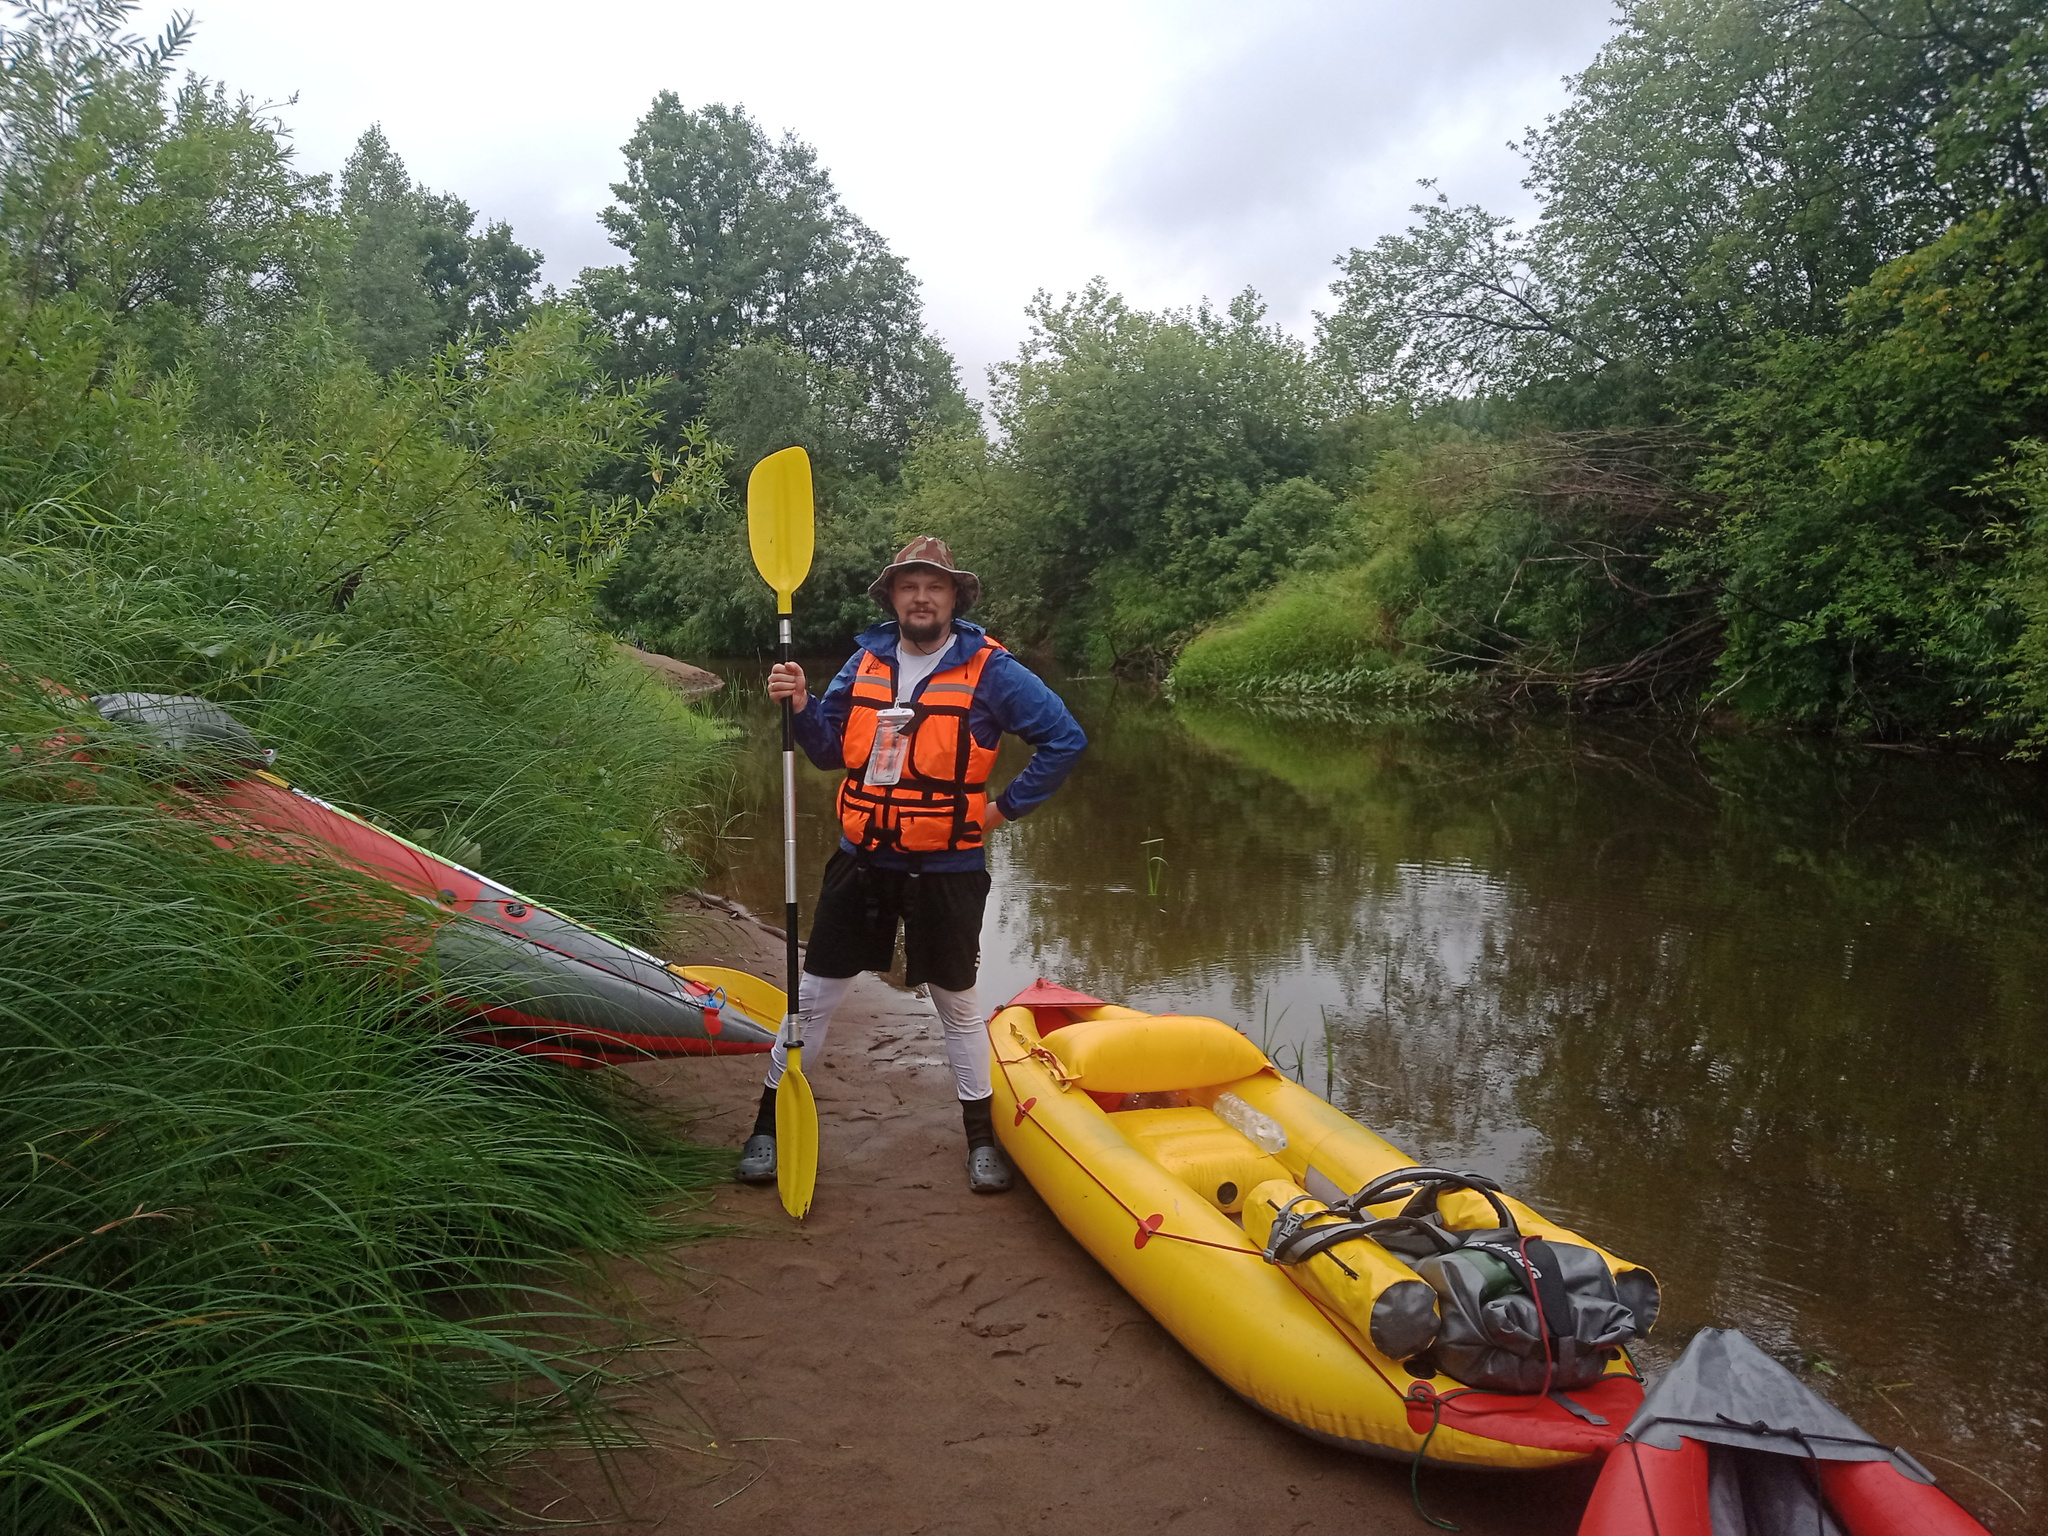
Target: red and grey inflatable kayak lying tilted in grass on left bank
[534,980]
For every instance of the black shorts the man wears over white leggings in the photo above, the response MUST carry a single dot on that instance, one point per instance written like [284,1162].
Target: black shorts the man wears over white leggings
[859,908]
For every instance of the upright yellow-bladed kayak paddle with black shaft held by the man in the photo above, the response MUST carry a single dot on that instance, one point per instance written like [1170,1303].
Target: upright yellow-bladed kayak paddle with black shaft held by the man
[783,531]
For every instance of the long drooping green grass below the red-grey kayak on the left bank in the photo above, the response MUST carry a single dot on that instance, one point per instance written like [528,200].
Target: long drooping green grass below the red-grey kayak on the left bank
[269,1246]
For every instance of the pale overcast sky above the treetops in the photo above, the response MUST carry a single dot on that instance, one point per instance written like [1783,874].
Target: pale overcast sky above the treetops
[1181,151]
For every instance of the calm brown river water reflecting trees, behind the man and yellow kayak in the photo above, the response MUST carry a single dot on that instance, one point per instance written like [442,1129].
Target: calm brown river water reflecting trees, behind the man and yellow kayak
[1762,1015]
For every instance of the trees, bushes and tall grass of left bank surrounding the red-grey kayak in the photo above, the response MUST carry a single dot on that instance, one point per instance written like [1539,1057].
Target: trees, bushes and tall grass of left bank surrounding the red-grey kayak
[275,1252]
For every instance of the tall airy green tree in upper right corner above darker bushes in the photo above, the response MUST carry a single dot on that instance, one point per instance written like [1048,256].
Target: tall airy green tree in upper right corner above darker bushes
[1723,171]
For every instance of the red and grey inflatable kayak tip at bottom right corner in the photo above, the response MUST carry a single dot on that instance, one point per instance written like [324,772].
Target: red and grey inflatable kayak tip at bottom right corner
[1730,1441]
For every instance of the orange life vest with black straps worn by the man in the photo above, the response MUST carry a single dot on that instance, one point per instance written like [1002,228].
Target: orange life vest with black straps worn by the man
[943,798]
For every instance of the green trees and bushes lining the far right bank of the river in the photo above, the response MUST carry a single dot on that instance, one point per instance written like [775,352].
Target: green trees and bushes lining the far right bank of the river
[1746,419]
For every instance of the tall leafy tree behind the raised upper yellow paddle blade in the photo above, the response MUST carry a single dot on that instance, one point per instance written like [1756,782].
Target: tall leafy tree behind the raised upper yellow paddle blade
[767,310]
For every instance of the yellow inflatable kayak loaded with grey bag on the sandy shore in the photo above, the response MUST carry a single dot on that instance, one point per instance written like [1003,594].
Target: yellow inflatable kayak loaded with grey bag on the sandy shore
[1316,1269]
